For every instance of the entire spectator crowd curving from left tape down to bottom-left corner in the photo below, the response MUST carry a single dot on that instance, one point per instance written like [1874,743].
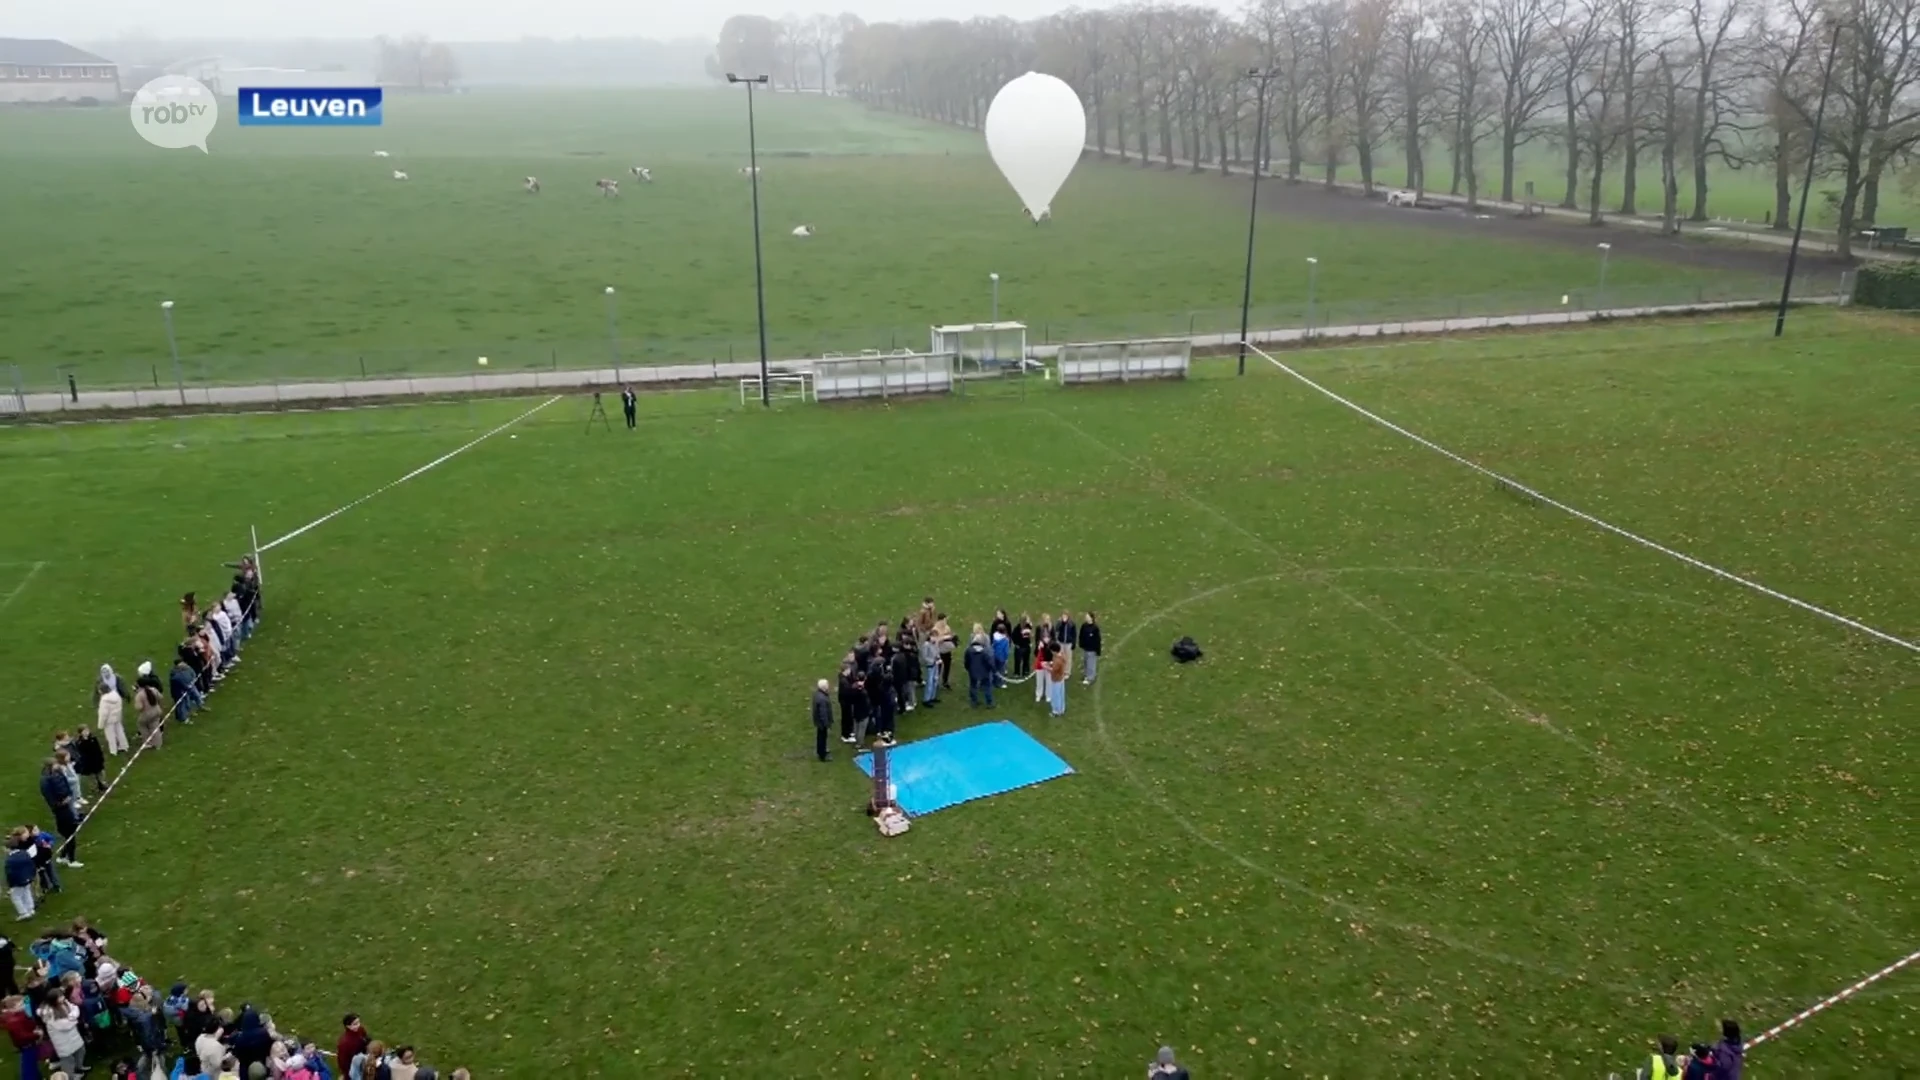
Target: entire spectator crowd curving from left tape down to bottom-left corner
[76,1002]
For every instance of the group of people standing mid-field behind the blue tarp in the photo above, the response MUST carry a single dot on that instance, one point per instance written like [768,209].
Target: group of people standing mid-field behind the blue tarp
[898,670]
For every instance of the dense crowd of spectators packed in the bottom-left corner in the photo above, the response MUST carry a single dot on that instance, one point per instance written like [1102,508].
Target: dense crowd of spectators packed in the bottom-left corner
[80,1006]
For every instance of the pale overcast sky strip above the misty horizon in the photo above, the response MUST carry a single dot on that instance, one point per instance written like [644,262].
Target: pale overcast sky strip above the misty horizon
[460,20]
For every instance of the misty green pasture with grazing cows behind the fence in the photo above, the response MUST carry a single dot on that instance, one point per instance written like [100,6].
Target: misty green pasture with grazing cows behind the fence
[295,255]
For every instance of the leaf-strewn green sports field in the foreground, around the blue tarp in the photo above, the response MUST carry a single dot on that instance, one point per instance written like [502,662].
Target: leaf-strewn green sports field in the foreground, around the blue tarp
[519,766]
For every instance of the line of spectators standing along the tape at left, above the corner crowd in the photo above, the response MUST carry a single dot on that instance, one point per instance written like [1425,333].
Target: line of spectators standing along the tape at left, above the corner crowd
[78,762]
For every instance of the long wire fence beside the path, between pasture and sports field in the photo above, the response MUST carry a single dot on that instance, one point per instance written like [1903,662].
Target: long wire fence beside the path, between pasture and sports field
[156,372]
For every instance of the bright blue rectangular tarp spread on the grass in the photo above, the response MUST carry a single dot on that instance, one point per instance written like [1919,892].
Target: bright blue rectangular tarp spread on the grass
[965,766]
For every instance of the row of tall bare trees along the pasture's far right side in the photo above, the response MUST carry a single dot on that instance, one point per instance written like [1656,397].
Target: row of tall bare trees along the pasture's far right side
[1646,91]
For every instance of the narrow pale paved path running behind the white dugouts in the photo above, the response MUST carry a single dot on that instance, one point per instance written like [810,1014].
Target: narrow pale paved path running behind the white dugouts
[226,399]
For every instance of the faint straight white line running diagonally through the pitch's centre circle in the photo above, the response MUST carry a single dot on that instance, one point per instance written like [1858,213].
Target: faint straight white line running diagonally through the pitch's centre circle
[1648,785]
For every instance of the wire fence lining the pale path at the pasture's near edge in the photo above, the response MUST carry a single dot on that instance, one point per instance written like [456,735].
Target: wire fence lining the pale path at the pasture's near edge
[276,380]
